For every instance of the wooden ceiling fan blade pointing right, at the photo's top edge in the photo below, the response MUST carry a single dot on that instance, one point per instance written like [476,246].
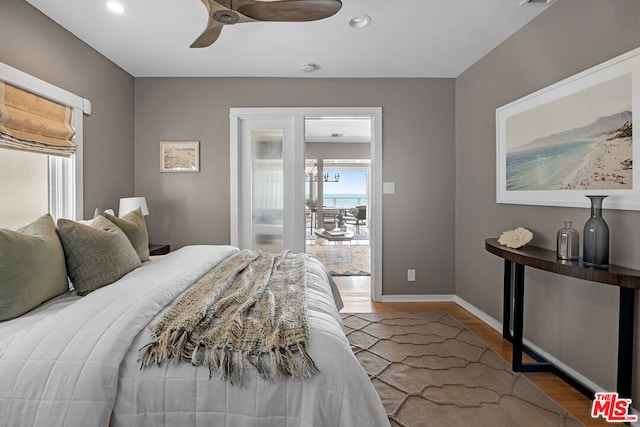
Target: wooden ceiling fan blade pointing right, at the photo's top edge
[290,10]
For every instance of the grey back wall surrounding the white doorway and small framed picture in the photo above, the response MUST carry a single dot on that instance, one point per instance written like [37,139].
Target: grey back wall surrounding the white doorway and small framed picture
[418,147]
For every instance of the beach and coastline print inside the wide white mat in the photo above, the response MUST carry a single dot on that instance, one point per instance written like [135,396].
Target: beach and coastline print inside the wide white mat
[580,141]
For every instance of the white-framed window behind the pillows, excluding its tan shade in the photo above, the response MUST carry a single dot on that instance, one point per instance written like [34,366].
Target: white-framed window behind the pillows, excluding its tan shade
[32,184]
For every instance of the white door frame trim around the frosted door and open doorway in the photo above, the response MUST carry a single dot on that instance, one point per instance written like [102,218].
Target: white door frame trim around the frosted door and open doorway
[299,113]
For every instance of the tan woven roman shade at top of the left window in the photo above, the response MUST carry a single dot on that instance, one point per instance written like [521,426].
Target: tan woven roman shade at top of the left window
[30,122]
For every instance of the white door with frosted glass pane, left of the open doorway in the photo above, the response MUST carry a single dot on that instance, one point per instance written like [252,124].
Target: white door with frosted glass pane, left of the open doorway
[270,206]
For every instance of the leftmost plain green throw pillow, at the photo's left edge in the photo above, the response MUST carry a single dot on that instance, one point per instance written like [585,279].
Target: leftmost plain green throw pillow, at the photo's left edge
[32,267]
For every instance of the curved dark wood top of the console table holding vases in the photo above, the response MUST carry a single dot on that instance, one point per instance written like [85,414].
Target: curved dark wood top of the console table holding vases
[545,259]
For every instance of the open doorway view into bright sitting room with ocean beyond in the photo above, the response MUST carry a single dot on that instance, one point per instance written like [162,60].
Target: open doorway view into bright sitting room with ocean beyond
[337,189]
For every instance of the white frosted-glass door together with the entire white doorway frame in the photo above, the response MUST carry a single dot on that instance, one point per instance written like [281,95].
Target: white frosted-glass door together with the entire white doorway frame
[267,191]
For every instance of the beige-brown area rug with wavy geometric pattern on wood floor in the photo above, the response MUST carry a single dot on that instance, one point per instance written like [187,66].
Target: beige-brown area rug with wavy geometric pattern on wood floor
[430,370]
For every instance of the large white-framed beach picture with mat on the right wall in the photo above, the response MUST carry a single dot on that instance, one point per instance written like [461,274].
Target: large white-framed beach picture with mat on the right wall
[572,139]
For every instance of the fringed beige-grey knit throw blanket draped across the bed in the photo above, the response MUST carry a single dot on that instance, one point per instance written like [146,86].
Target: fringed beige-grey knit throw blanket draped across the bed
[251,307]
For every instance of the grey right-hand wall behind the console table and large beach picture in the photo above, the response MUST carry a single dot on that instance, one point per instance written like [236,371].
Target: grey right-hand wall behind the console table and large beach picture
[576,321]
